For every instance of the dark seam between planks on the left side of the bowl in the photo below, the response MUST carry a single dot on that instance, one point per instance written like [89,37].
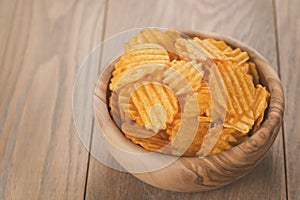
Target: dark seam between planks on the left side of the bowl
[104,22]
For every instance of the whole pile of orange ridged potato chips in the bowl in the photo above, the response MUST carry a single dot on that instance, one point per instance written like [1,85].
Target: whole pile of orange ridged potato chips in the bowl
[163,88]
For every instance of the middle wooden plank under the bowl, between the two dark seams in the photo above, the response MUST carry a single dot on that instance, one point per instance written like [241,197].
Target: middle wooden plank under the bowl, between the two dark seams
[249,21]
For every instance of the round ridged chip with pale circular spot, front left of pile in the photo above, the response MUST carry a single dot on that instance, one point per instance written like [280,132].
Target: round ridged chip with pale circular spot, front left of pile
[153,104]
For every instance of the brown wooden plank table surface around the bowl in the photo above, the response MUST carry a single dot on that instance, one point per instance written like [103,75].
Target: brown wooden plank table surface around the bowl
[42,44]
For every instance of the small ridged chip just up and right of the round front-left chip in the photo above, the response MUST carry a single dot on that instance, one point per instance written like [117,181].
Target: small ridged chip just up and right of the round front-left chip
[183,77]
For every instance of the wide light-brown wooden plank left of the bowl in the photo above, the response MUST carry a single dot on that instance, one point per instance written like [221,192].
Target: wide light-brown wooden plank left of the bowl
[41,156]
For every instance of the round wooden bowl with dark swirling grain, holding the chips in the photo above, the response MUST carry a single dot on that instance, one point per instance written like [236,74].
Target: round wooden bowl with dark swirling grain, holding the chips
[188,174]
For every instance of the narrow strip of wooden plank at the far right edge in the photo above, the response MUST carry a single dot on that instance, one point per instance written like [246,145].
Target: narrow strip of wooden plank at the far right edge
[288,22]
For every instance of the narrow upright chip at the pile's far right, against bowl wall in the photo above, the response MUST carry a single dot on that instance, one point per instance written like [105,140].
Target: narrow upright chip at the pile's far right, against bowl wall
[260,105]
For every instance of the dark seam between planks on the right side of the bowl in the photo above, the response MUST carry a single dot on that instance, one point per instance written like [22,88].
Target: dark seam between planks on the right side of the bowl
[275,21]
